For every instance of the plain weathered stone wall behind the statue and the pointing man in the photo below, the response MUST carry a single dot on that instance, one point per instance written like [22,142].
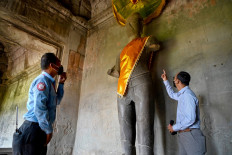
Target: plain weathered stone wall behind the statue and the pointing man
[195,36]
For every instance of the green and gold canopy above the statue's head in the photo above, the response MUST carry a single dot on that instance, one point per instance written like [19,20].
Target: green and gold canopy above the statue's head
[148,9]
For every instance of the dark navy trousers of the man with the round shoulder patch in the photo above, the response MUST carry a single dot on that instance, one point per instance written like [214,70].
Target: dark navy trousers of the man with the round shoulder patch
[29,140]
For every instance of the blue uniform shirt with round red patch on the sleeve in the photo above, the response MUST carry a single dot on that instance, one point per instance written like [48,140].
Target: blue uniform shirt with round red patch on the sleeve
[42,101]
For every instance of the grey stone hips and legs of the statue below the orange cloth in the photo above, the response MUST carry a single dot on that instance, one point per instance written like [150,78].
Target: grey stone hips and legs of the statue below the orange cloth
[136,108]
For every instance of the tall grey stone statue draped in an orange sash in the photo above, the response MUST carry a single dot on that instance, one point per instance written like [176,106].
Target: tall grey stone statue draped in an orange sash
[135,95]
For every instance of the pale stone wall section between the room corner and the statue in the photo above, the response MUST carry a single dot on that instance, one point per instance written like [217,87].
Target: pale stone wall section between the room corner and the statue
[97,115]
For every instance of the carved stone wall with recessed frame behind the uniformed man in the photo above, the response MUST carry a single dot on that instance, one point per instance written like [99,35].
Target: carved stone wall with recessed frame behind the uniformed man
[51,25]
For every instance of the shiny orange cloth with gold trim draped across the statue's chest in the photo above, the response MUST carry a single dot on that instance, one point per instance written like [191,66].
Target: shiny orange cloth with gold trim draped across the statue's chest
[128,59]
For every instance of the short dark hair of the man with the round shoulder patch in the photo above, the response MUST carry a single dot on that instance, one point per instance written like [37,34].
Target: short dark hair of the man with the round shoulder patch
[46,59]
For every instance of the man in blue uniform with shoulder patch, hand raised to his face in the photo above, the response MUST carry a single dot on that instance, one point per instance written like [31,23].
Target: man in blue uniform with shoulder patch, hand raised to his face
[36,131]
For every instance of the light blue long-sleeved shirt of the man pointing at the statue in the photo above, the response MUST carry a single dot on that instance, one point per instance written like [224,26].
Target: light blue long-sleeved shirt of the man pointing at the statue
[188,113]
